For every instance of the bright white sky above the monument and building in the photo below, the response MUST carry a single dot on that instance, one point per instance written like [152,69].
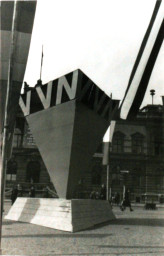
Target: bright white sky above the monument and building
[101,37]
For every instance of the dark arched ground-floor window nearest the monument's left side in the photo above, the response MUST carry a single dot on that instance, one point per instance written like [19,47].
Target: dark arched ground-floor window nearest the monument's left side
[33,171]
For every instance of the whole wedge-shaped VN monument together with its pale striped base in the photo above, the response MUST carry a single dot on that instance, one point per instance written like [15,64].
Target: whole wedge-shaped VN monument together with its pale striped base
[68,118]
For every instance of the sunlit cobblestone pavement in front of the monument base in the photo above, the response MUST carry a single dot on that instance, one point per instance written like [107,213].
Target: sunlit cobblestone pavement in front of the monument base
[137,233]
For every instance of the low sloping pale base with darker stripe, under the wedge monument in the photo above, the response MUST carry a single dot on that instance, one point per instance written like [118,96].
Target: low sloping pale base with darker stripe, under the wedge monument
[67,215]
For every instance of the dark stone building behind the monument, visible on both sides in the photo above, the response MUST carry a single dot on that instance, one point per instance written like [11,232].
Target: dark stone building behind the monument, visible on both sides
[136,158]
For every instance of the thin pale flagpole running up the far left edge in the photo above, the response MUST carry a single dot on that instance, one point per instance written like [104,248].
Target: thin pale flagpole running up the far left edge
[6,114]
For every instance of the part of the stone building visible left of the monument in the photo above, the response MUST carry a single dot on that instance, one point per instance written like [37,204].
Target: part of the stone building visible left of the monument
[26,166]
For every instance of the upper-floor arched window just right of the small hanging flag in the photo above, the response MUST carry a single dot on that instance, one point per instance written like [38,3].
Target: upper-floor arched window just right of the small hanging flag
[118,142]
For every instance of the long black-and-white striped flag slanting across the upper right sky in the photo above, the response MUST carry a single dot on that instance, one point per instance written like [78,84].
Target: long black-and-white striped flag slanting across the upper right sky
[144,63]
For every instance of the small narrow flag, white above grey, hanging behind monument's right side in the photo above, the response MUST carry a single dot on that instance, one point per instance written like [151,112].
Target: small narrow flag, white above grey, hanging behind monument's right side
[107,142]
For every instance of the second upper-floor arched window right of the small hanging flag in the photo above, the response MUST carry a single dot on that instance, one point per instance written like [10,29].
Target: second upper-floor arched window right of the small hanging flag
[137,143]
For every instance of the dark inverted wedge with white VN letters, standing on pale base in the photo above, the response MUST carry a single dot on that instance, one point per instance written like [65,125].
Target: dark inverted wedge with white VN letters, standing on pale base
[68,118]
